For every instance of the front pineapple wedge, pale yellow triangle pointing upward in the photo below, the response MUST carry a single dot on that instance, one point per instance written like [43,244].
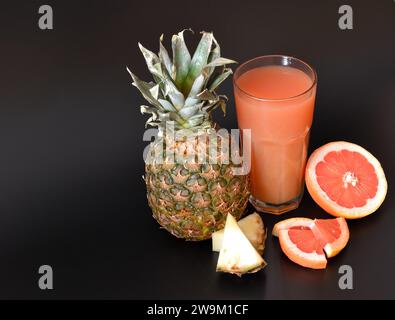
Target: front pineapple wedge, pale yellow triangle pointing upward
[237,254]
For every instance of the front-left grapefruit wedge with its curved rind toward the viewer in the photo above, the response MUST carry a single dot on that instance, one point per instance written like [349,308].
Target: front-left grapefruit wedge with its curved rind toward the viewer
[300,246]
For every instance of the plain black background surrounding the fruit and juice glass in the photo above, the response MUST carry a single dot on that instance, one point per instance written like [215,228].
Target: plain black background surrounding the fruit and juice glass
[71,192]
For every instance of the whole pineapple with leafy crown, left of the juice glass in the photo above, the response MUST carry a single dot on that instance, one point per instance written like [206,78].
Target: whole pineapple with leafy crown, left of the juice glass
[189,196]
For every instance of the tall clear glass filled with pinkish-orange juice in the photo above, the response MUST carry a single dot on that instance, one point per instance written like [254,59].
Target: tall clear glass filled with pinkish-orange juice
[275,98]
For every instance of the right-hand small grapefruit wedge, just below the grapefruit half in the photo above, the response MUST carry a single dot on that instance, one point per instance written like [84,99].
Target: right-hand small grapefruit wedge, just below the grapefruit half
[333,235]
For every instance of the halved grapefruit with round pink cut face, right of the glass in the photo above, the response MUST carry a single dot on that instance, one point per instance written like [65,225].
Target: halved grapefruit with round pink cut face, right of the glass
[345,180]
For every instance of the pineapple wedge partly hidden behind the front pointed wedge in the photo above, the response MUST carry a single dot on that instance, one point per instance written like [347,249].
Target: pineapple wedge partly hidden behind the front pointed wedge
[252,227]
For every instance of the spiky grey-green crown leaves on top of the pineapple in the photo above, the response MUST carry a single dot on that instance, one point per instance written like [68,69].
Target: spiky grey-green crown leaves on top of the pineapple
[183,88]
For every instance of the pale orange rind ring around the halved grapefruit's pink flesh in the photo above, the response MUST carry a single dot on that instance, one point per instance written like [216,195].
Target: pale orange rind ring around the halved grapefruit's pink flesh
[325,202]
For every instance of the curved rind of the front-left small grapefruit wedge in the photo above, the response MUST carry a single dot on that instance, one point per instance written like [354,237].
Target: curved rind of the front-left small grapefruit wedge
[309,260]
